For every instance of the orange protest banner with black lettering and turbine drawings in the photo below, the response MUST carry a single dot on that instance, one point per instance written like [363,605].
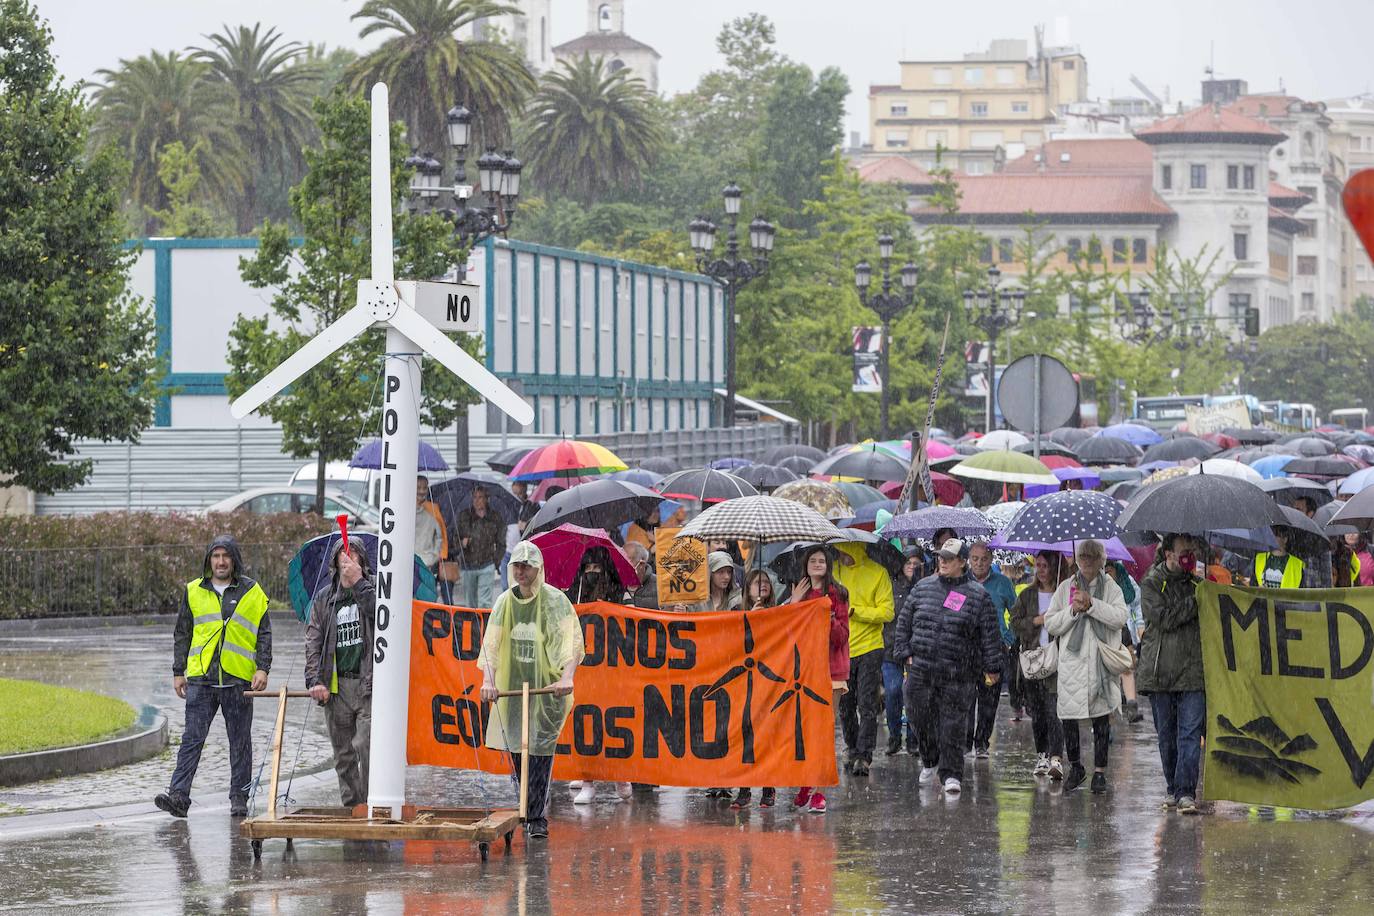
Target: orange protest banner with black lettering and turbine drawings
[673,700]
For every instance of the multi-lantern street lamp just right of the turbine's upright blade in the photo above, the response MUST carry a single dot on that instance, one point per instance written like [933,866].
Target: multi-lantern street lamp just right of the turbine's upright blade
[498,182]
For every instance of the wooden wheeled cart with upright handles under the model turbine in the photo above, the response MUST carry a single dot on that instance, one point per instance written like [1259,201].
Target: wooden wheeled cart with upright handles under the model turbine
[447,825]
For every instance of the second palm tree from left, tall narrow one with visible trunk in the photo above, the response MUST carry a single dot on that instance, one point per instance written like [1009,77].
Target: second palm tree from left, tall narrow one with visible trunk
[271,86]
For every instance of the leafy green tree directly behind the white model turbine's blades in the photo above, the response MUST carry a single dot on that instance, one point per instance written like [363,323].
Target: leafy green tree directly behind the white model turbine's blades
[330,407]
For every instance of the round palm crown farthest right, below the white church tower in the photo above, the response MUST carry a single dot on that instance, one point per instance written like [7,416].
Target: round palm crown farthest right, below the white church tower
[592,130]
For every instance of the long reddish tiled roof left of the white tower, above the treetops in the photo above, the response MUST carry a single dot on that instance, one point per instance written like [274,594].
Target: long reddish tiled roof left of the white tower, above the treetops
[990,198]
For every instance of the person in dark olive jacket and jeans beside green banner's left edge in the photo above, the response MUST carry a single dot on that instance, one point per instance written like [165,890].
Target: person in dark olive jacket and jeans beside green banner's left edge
[1171,667]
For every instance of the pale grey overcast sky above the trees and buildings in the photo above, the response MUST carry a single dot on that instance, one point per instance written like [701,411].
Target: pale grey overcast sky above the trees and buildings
[1318,49]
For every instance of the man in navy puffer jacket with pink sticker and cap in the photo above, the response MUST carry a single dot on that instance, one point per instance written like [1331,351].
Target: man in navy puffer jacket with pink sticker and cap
[949,638]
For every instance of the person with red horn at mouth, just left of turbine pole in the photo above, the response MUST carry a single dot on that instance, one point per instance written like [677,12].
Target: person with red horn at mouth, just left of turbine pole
[339,665]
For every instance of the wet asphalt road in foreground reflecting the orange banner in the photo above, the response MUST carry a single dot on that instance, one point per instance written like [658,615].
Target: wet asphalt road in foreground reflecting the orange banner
[1012,844]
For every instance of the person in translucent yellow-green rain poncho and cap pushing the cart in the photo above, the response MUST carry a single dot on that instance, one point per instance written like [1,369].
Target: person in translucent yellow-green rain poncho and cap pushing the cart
[532,637]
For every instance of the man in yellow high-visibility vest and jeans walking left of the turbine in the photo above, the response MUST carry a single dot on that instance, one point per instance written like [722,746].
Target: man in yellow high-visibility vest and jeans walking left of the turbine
[223,646]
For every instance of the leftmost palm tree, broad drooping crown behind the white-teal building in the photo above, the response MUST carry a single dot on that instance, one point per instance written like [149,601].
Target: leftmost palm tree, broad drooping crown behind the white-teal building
[159,100]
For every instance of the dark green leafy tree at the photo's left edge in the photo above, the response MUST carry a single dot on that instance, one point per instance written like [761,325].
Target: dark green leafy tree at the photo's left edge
[76,351]
